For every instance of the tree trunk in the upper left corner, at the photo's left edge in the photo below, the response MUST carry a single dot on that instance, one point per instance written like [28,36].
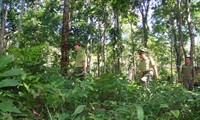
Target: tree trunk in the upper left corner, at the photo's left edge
[4,10]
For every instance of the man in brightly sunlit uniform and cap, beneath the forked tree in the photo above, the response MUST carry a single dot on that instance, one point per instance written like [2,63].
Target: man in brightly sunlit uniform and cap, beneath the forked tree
[147,66]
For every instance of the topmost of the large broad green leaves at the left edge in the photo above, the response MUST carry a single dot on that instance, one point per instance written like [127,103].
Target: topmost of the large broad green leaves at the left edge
[4,60]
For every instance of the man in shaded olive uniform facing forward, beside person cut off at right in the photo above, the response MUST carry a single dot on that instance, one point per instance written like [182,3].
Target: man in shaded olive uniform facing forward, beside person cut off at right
[186,76]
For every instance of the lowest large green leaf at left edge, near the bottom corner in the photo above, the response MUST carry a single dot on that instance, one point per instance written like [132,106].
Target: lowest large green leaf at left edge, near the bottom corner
[7,106]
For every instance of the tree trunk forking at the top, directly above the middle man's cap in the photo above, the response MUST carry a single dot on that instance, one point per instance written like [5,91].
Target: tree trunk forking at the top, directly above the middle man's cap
[144,9]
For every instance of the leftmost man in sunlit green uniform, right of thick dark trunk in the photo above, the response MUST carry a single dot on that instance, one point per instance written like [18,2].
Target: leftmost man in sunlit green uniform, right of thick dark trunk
[80,61]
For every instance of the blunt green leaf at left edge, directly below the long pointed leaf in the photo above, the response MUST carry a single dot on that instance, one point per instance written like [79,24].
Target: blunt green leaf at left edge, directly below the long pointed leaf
[8,83]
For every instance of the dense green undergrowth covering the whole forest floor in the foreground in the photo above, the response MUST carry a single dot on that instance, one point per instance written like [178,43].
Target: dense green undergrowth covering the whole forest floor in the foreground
[51,96]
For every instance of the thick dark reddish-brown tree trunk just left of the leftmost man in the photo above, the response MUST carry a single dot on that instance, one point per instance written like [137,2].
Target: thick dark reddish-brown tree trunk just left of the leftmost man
[65,33]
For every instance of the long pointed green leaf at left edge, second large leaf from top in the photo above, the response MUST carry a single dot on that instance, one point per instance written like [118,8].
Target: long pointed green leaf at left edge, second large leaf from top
[12,72]
